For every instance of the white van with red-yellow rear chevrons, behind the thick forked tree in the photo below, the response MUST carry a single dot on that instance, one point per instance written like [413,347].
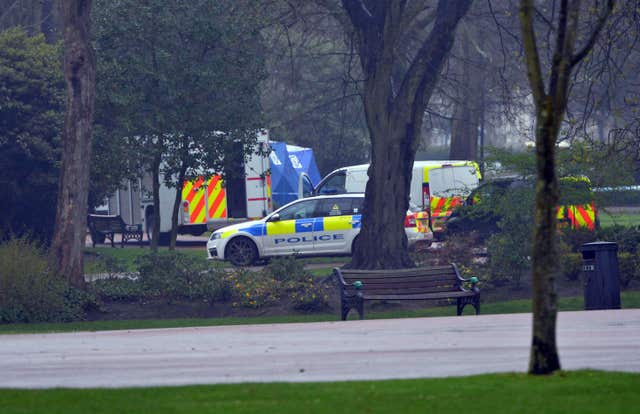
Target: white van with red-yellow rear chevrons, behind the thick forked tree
[436,186]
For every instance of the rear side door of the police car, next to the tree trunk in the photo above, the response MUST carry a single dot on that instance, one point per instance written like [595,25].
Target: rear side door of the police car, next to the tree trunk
[338,224]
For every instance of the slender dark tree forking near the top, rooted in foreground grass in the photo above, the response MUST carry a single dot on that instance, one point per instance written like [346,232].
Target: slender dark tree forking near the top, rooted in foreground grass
[550,96]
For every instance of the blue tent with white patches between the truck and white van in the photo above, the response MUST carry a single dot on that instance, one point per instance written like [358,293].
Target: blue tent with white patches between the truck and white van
[287,163]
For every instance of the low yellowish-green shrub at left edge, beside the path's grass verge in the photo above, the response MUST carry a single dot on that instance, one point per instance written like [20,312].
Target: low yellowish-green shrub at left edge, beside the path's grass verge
[29,292]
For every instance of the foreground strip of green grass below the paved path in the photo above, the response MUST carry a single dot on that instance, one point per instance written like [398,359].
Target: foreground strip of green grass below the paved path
[564,392]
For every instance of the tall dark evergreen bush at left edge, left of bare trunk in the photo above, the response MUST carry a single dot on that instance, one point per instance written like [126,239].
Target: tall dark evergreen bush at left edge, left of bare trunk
[31,117]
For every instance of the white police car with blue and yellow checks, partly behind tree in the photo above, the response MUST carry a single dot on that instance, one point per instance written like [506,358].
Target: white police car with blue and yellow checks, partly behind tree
[310,226]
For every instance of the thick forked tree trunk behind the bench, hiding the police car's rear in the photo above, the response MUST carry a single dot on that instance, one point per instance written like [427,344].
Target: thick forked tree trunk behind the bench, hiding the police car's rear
[397,86]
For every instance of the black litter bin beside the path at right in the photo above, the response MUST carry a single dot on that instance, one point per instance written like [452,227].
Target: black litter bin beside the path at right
[600,275]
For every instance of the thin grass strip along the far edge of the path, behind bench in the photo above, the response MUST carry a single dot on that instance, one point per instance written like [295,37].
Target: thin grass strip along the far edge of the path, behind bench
[630,300]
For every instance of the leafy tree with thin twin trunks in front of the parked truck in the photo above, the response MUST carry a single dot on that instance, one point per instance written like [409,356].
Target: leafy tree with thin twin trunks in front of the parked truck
[173,75]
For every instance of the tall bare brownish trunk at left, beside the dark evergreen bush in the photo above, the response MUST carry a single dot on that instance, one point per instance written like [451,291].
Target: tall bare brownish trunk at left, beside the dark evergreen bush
[79,71]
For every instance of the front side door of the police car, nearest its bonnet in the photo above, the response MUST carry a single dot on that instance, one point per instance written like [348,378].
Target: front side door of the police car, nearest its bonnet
[291,230]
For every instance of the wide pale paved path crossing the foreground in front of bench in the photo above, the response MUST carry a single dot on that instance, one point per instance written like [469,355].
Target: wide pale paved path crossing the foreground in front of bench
[329,351]
